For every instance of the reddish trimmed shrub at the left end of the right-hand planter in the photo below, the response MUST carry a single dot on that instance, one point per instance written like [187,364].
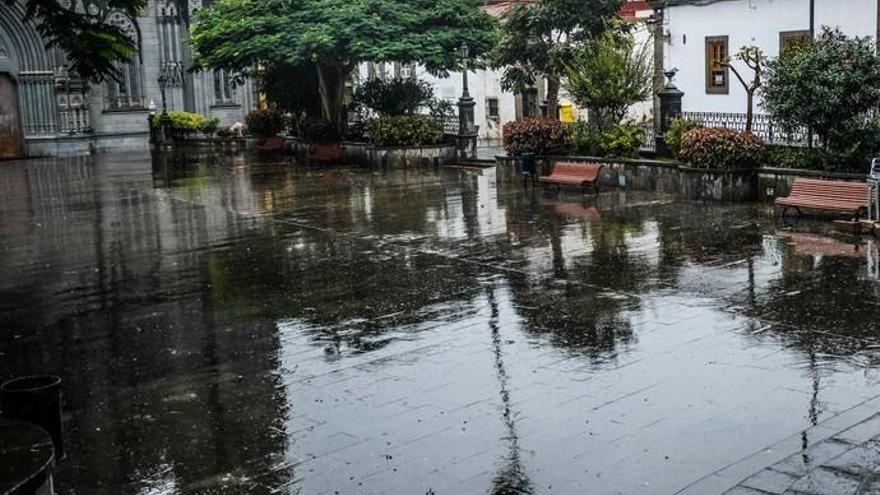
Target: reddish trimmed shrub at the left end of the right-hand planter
[536,135]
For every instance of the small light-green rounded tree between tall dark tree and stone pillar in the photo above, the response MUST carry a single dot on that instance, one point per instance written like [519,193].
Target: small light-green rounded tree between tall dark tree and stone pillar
[608,75]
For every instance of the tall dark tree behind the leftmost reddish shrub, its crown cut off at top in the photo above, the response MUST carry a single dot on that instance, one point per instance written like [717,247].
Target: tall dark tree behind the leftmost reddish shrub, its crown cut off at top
[536,39]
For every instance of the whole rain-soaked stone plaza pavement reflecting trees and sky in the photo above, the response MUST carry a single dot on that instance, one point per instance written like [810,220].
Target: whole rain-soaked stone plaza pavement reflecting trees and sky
[224,327]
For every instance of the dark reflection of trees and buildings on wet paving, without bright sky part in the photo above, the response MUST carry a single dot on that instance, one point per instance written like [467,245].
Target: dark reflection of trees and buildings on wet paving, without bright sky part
[158,291]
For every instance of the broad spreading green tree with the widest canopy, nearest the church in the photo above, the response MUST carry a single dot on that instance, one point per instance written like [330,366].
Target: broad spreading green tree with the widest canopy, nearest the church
[336,35]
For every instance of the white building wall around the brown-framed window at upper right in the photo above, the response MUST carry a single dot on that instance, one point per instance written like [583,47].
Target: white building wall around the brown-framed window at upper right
[747,22]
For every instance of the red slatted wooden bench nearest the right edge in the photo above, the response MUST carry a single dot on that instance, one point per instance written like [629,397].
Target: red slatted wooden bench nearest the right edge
[826,195]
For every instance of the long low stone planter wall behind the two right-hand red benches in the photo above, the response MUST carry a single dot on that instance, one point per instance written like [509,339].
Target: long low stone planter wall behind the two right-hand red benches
[763,184]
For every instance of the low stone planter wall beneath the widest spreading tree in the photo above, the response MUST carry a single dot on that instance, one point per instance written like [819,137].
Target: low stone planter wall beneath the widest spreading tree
[393,157]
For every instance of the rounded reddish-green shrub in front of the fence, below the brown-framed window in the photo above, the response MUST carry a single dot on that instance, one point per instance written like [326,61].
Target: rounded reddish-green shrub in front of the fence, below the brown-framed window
[718,147]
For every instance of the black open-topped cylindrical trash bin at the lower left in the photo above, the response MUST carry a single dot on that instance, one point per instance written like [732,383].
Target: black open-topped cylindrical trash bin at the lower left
[37,400]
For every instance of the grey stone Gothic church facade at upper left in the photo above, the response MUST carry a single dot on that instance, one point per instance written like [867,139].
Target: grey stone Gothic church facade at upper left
[47,111]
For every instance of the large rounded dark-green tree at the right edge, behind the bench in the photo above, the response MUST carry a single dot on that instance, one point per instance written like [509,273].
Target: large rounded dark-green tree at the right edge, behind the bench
[831,86]
